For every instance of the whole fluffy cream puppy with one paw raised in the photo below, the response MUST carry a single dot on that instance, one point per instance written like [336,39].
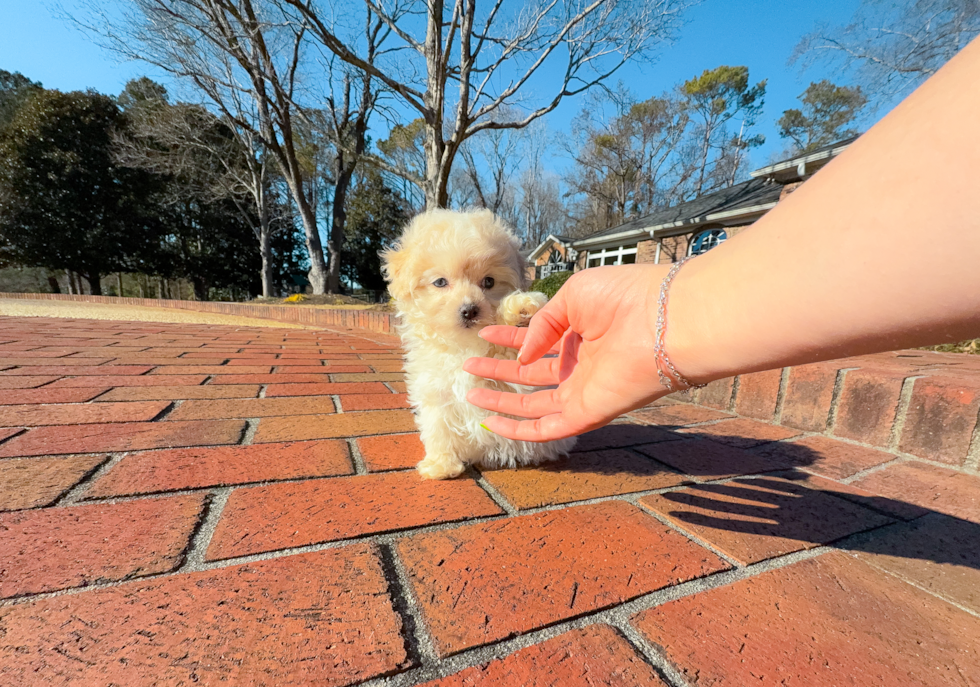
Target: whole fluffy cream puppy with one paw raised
[439,275]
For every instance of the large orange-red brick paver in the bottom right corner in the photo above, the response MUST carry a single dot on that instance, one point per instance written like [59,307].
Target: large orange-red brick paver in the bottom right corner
[830,621]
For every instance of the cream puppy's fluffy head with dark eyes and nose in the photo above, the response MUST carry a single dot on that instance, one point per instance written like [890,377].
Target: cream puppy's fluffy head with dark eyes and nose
[450,270]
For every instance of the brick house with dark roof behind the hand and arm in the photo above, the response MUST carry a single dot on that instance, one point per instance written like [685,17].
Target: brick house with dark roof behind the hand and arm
[689,228]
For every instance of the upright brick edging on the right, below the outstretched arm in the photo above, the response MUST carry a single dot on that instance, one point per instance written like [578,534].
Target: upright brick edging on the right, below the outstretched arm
[918,403]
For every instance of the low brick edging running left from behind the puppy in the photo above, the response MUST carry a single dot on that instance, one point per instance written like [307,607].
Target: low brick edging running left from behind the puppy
[369,320]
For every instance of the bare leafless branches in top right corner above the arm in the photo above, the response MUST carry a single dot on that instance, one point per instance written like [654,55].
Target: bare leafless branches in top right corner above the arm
[894,46]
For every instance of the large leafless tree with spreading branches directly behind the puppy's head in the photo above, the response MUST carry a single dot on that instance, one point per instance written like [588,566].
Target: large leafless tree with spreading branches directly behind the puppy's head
[458,68]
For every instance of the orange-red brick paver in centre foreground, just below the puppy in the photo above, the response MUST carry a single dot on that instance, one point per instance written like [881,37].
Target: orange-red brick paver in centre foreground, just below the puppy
[482,583]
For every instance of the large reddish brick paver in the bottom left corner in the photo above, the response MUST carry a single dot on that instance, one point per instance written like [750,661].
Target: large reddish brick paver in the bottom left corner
[323,618]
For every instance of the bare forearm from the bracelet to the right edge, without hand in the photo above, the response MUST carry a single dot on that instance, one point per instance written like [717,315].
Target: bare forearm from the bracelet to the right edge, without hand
[880,250]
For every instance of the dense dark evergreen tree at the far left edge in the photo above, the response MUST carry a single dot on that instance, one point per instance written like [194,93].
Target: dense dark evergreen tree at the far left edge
[64,202]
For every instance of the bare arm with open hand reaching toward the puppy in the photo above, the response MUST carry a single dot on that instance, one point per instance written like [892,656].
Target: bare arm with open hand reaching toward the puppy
[879,251]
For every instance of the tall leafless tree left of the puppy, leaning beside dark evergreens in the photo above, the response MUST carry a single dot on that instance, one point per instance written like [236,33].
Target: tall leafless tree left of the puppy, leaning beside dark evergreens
[245,59]
